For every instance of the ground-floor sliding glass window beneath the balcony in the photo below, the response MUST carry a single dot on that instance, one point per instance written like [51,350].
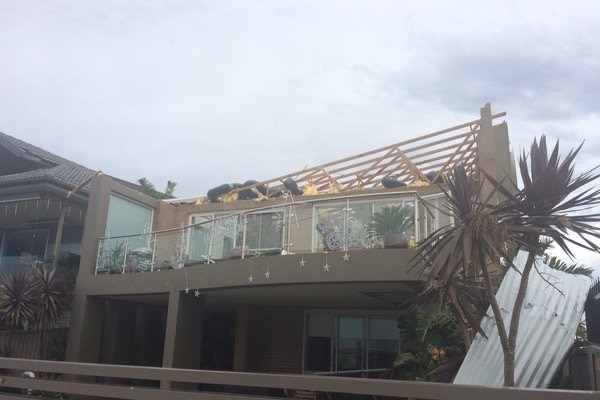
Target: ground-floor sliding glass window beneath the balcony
[349,342]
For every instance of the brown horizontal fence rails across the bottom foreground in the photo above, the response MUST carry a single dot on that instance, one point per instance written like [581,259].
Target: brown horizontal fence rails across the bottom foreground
[82,377]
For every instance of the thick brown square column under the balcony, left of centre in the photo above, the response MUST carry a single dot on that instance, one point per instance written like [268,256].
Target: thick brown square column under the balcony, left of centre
[183,339]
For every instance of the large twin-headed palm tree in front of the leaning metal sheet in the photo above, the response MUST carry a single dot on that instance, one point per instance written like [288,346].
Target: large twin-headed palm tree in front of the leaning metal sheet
[551,204]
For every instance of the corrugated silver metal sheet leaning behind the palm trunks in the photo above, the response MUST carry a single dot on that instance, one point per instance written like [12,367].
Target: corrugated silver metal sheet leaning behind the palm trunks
[546,332]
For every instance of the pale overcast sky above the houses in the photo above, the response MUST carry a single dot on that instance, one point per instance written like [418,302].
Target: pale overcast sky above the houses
[208,92]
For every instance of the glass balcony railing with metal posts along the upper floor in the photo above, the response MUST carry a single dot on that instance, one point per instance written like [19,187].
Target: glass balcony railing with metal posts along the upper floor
[360,222]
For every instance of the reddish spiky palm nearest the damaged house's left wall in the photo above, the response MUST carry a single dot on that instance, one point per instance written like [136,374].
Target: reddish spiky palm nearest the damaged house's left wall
[51,298]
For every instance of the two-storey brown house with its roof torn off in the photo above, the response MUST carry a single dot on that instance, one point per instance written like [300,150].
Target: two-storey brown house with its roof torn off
[285,275]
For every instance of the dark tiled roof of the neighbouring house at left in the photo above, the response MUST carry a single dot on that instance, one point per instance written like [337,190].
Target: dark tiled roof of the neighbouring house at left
[38,165]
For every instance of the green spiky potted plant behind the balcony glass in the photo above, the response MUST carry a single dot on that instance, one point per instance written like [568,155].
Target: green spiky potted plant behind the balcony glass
[392,224]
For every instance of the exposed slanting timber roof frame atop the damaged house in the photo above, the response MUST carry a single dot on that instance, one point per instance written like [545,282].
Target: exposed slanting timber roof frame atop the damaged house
[405,161]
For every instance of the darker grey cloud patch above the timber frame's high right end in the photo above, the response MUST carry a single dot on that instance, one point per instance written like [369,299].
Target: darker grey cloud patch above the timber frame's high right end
[538,85]
